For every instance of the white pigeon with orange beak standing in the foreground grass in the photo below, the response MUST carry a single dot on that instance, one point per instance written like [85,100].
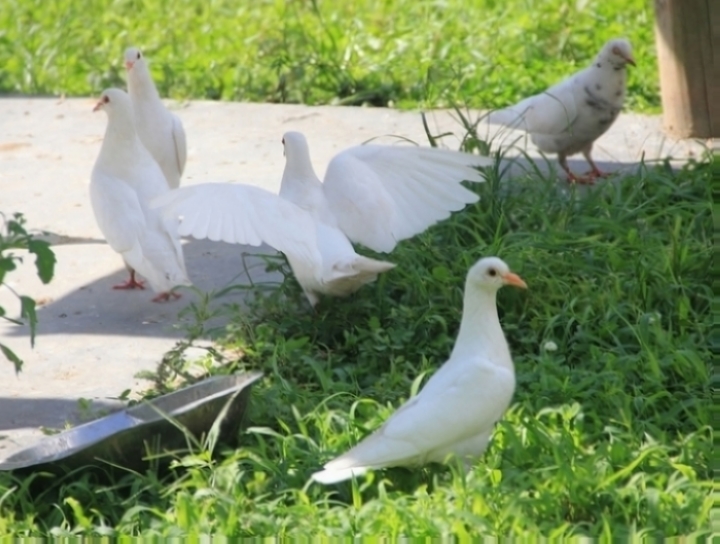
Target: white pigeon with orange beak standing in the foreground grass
[454,414]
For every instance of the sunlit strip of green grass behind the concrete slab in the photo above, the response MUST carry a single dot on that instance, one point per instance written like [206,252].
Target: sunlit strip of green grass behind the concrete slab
[408,53]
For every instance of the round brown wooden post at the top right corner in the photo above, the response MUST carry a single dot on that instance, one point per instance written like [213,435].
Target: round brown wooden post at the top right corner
[687,34]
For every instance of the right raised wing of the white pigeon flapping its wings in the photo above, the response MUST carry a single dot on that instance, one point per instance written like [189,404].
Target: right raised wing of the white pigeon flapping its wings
[384,194]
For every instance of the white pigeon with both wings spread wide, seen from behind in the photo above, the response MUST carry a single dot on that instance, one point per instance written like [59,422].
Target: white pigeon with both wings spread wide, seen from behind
[375,195]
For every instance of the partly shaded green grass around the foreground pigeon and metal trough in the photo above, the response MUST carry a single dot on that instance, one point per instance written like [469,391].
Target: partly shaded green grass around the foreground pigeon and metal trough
[609,434]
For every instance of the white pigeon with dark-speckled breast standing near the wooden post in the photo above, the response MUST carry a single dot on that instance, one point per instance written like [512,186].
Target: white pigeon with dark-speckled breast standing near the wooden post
[568,117]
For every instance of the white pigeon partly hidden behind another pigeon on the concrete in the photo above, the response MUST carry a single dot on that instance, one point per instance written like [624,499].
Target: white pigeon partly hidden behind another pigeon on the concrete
[160,130]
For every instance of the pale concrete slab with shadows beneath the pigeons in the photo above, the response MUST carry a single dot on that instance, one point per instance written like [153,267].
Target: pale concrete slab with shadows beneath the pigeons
[92,340]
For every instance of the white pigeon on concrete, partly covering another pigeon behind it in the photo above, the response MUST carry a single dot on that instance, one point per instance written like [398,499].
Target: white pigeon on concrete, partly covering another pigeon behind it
[124,180]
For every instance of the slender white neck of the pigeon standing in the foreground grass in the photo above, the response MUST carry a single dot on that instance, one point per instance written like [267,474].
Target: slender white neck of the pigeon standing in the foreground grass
[480,331]
